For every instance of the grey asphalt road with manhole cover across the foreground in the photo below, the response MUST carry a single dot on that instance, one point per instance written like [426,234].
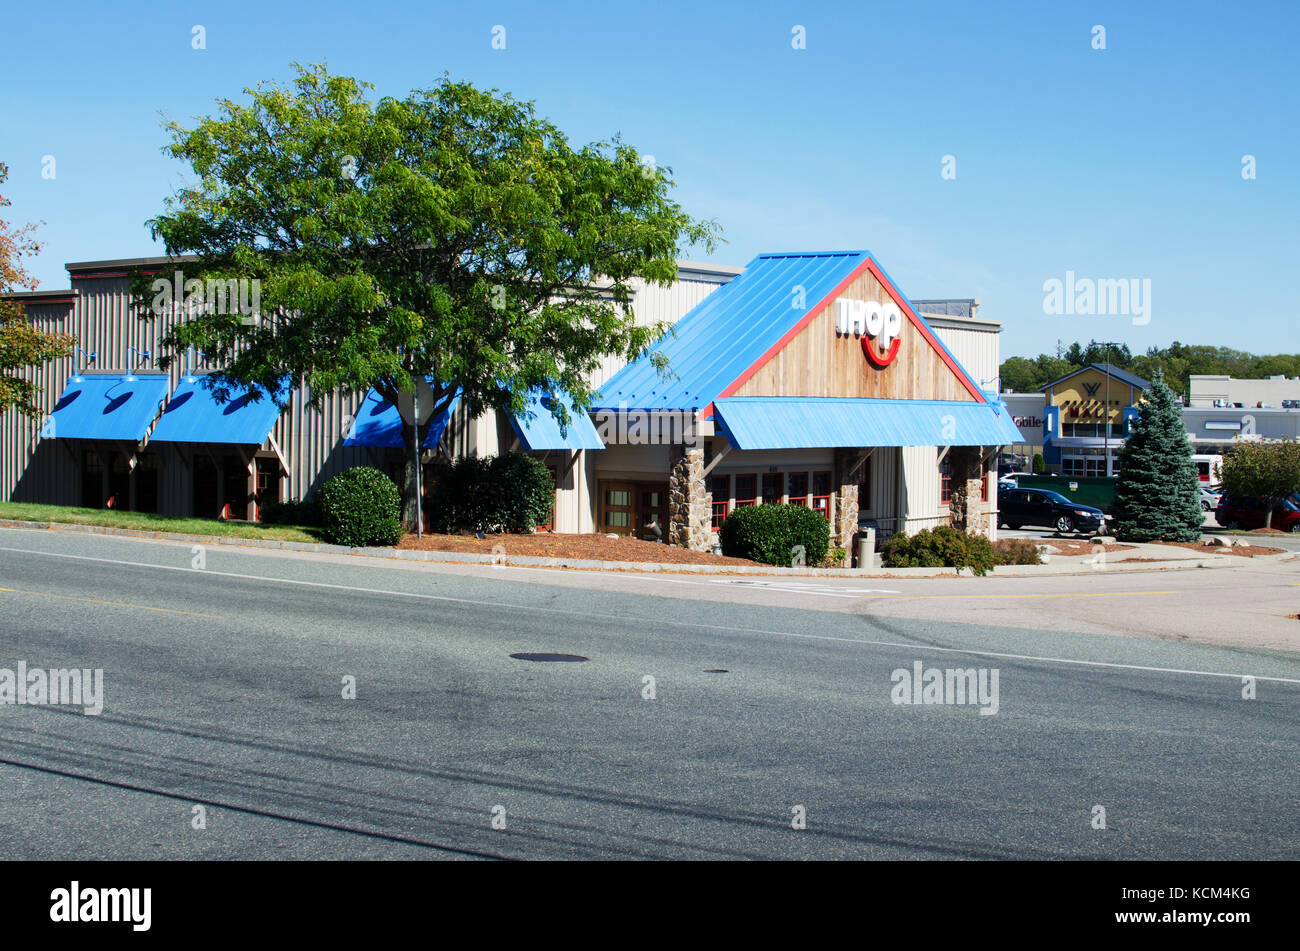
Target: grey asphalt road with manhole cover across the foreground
[224,689]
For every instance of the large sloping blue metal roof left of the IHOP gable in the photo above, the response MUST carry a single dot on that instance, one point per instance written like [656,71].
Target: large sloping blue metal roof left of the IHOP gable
[723,336]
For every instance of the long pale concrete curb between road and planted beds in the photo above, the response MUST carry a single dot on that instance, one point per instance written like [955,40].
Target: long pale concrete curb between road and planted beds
[1060,566]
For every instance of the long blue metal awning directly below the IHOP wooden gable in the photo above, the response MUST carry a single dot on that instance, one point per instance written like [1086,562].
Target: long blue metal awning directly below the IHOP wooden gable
[795,423]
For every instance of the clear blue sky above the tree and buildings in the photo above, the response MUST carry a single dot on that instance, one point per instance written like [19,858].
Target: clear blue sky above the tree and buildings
[1124,163]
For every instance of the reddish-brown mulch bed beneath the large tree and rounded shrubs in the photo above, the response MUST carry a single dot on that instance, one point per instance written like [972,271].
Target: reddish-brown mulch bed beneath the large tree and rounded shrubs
[558,546]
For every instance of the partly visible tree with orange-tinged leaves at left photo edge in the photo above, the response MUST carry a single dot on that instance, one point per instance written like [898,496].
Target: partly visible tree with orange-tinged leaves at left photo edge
[21,345]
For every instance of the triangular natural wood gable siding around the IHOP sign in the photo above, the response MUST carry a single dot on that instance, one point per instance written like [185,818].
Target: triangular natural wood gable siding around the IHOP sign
[818,362]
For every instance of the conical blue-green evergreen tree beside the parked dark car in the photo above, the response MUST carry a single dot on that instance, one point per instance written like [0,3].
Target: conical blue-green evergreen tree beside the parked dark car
[1158,492]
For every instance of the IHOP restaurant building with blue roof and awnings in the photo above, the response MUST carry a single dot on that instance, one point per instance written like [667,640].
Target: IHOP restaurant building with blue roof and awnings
[805,379]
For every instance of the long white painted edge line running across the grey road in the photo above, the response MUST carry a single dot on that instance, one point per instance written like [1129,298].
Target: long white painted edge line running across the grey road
[626,619]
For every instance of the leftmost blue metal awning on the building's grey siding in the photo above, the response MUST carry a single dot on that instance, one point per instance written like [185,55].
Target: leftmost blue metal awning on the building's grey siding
[107,406]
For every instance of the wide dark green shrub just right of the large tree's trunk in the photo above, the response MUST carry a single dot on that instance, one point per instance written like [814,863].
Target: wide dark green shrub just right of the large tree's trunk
[508,493]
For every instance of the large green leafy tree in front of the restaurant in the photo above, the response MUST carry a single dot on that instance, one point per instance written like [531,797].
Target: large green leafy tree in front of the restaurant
[450,236]
